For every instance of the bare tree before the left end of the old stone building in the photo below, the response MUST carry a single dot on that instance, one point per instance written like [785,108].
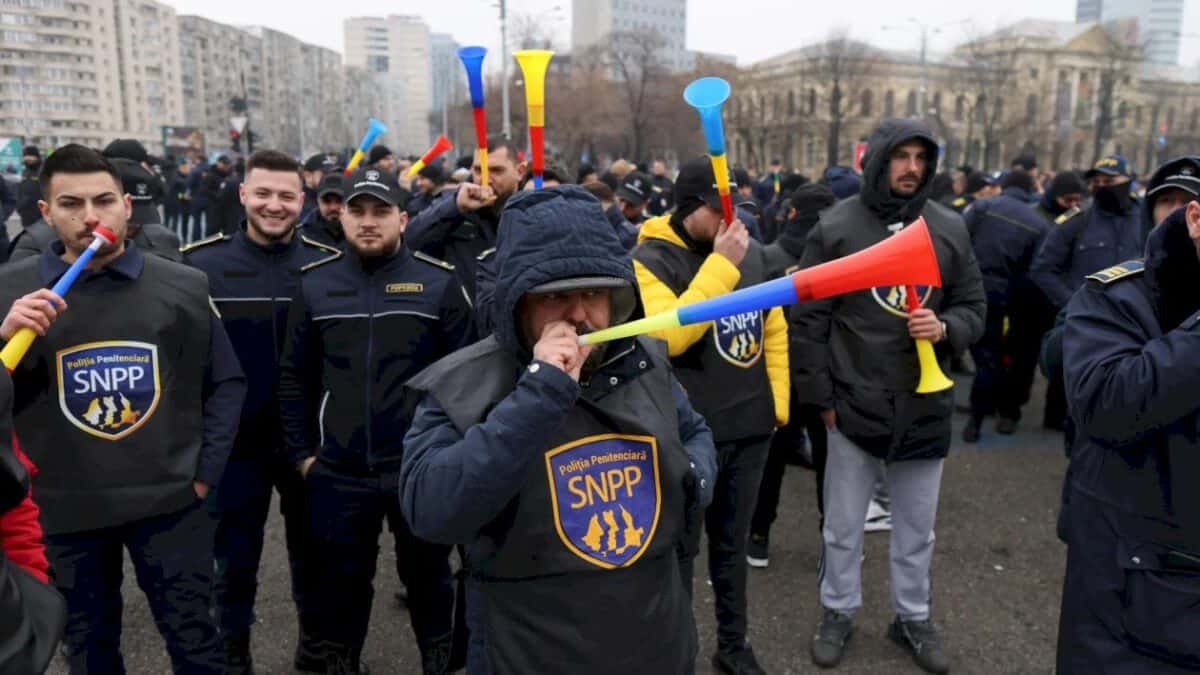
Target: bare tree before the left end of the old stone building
[843,65]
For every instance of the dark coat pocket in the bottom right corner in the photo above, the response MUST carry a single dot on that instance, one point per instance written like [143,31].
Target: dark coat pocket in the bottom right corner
[1161,607]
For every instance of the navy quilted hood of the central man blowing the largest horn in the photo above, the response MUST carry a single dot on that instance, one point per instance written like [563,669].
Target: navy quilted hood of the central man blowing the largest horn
[548,236]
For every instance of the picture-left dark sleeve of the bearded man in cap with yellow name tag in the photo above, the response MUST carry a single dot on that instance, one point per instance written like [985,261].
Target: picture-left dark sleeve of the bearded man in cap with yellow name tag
[299,383]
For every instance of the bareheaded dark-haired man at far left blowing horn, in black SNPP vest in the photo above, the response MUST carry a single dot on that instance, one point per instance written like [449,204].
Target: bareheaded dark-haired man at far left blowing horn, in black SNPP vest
[129,407]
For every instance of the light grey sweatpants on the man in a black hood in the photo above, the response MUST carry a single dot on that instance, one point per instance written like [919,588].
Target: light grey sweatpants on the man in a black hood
[850,480]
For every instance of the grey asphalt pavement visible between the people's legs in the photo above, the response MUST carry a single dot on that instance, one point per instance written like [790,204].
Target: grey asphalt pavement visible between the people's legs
[998,575]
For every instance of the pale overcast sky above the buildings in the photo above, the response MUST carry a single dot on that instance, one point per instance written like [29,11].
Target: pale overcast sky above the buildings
[748,29]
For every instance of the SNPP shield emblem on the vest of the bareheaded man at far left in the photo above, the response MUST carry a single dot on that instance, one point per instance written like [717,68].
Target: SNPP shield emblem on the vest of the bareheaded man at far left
[109,390]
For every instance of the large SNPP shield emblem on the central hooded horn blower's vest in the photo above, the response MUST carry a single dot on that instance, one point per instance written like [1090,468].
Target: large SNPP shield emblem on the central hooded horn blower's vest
[607,497]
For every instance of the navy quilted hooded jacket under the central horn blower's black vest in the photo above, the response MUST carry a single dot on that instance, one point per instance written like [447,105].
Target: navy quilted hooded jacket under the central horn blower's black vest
[453,485]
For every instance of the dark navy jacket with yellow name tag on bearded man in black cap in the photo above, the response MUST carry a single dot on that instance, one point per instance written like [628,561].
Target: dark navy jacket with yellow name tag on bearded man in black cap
[357,332]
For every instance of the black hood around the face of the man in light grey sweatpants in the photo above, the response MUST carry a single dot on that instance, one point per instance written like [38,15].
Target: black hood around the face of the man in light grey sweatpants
[877,194]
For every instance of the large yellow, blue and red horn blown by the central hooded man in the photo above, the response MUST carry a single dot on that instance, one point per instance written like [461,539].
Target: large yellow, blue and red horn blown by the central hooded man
[907,259]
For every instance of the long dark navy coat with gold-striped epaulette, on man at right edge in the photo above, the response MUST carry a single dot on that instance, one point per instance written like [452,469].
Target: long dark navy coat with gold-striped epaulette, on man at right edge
[1132,586]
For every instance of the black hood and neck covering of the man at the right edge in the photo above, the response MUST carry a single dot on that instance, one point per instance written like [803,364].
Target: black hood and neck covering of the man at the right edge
[1173,268]
